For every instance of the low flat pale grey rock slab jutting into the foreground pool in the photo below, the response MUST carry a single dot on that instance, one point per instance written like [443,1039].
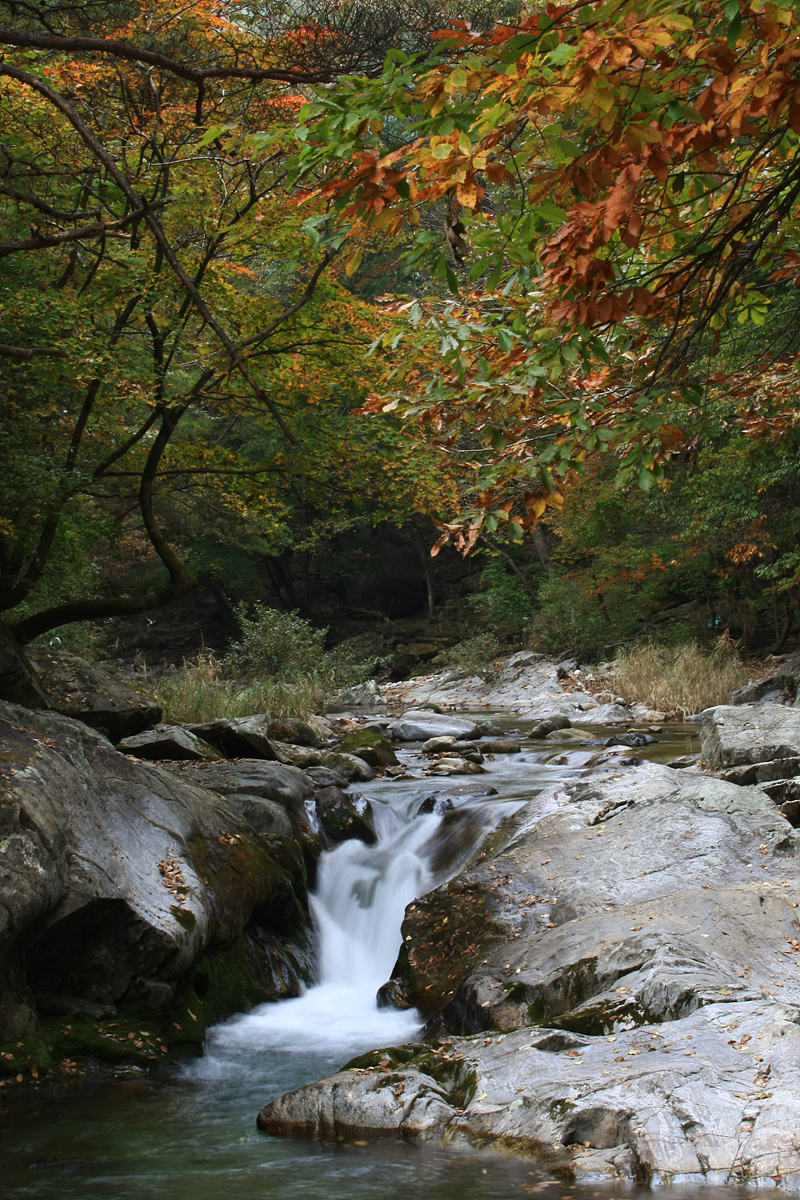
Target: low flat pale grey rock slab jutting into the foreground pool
[709,1100]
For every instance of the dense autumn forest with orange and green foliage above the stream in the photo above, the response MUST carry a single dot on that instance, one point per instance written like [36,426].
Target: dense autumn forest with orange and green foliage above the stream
[294,295]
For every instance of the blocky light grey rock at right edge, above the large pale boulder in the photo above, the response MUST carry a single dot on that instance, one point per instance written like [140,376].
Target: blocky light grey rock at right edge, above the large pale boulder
[731,735]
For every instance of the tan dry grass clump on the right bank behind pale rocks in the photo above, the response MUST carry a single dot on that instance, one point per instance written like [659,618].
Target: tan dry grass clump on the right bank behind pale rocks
[679,680]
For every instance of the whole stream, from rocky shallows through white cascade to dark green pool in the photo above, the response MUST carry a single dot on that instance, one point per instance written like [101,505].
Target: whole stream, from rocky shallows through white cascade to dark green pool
[190,1135]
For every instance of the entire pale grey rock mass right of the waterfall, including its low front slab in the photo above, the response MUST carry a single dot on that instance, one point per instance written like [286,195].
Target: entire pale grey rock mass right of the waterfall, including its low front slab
[621,983]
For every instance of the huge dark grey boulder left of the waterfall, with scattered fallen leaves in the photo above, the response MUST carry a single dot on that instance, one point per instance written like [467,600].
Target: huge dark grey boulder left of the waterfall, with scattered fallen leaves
[118,877]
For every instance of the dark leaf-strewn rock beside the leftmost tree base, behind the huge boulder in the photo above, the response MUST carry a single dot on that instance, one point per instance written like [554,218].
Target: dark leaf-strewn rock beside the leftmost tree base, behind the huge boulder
[76,688]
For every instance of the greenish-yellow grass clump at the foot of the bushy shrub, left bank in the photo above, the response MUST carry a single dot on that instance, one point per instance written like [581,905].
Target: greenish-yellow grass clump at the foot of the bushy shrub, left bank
[201,691]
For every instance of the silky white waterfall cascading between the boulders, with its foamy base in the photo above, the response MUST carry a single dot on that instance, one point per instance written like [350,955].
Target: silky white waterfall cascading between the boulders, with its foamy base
[358,911]
